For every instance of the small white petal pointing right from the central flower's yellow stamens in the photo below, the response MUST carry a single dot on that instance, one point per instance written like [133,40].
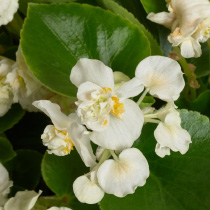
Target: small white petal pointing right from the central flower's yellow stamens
[130,89]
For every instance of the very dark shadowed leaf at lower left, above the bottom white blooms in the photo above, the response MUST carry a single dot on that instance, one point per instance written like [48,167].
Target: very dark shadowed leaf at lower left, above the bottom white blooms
[25,169]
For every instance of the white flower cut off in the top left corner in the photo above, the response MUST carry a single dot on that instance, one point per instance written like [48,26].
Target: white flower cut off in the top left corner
[7,10]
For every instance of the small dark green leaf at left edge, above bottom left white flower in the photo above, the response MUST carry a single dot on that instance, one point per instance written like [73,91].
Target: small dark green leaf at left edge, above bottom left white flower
[6,150]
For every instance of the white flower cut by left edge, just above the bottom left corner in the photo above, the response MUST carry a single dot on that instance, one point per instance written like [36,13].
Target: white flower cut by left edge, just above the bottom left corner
[5,184]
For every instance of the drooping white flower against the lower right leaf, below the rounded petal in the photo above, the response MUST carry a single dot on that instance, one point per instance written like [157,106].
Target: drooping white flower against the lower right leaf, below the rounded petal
[170,135]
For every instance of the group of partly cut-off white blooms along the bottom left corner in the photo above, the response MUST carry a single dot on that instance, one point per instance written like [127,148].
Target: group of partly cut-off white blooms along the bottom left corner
[23,200]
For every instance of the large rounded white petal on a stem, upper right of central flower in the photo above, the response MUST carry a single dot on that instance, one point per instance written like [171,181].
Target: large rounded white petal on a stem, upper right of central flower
[163,77]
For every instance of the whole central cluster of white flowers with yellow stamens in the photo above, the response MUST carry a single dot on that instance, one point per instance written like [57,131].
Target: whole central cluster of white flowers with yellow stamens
[106,116]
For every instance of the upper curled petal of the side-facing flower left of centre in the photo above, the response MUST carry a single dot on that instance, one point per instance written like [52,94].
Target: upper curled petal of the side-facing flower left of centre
[52,110]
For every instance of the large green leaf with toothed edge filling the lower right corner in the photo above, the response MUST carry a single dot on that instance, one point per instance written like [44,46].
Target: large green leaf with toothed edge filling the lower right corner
[176,181]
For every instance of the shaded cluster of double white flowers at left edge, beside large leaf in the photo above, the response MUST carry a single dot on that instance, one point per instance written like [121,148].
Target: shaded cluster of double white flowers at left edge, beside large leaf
[18,85]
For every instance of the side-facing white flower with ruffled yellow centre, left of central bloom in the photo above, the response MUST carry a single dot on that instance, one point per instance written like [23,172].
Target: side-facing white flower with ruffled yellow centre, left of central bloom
[65,133]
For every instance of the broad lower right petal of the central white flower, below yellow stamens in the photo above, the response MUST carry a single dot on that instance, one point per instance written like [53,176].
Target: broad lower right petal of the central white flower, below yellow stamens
[121,133]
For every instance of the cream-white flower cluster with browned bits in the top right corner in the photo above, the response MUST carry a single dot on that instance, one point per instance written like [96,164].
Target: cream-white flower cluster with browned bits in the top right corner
[189,22]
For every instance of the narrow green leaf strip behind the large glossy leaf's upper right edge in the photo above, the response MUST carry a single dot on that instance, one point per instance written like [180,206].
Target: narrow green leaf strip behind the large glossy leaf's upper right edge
[117,9]
